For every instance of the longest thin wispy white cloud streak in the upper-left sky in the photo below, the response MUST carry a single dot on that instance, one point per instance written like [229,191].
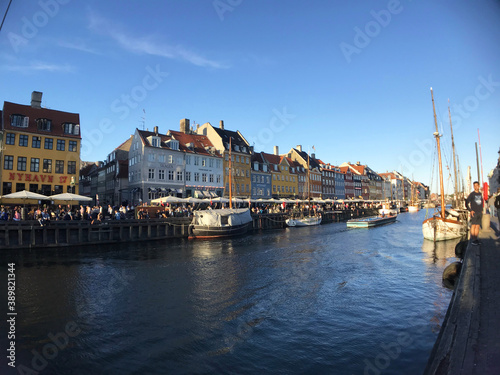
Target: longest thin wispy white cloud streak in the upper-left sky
[149,46]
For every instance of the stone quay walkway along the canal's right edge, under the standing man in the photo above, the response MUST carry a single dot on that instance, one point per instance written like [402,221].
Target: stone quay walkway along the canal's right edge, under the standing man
[469,340]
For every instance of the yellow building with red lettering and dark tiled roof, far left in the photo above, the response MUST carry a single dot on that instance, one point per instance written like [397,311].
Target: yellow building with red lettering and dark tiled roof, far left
[40,149]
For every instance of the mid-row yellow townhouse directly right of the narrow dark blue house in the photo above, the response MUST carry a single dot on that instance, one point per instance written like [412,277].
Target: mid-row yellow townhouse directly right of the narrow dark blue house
[284,179]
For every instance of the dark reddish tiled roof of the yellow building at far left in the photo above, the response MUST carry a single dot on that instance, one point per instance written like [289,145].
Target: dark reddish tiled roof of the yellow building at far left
[57,118]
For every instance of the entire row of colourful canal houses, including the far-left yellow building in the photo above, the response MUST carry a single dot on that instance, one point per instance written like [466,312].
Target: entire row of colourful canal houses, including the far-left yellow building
[41,152]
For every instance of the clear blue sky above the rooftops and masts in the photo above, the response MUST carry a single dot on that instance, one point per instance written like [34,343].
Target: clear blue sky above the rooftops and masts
[351,79]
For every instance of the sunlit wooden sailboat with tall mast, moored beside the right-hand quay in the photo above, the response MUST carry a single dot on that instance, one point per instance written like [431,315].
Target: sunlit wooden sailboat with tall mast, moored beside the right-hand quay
[442,226]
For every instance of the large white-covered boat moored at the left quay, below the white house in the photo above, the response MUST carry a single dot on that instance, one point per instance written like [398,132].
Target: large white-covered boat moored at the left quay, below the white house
[222,222]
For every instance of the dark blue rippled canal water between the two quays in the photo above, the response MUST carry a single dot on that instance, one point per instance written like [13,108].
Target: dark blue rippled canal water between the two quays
[317,300]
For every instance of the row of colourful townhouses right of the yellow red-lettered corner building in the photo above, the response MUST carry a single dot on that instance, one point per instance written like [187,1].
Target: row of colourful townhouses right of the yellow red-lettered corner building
[199,161]
